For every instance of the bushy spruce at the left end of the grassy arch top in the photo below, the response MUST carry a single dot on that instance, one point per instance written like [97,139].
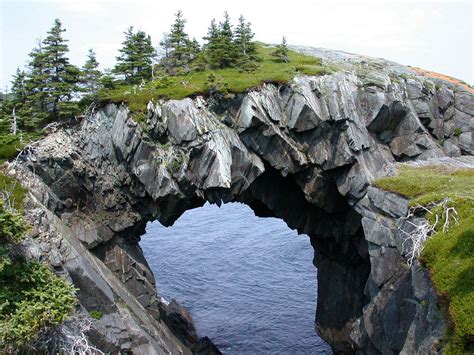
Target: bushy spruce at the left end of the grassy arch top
[136,57]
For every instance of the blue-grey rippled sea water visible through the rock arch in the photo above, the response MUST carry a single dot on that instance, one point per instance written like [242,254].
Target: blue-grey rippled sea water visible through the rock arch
[248,282]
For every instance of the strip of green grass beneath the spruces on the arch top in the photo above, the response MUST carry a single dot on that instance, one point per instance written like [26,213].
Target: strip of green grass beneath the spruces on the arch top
[194,83]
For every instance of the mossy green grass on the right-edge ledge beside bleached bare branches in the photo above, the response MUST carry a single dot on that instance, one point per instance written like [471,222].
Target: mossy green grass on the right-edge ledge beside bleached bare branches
[449,256]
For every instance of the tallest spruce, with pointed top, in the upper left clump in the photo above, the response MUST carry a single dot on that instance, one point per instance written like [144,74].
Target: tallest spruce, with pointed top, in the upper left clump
[61,84]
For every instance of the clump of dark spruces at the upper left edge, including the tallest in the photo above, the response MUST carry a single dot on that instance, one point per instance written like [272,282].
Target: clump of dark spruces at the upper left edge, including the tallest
[45,92]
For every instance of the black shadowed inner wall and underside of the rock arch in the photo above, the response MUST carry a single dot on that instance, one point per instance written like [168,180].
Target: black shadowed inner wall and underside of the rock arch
[334,229]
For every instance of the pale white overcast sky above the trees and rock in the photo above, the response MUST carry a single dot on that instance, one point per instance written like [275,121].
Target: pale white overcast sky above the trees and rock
[432,35]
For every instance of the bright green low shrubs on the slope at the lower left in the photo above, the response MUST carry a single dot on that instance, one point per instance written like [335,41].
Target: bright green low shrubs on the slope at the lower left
[32,297]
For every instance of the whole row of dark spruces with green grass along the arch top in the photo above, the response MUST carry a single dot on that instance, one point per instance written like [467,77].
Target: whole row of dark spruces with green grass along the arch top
[229,61]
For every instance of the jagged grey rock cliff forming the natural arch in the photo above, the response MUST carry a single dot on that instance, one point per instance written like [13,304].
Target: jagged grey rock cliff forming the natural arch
[305,152]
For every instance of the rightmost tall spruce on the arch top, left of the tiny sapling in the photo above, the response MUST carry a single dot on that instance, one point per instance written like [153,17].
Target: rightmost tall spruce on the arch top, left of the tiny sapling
[246,48]
